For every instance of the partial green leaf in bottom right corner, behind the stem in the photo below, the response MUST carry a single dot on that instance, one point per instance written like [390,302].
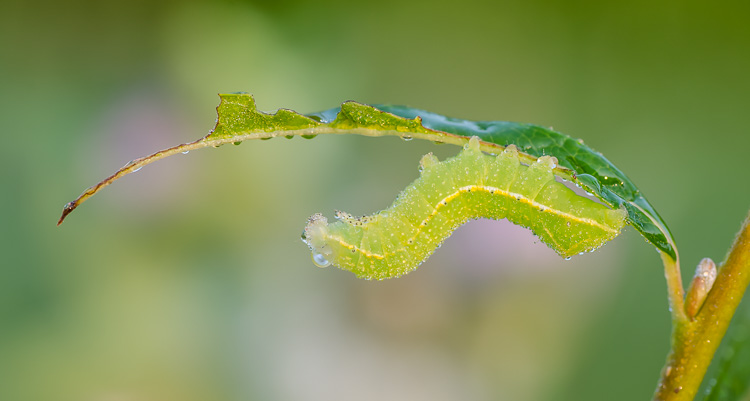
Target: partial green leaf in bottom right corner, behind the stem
[731,381]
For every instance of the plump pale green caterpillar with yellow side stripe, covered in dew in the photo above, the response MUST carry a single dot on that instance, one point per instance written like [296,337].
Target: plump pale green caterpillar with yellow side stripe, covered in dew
[471,185]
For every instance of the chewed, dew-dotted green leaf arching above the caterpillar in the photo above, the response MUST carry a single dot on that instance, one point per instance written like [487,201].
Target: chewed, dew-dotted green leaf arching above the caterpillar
[240,120]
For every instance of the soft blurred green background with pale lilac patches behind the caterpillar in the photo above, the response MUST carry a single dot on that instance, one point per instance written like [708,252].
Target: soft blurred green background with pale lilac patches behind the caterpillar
[187,281]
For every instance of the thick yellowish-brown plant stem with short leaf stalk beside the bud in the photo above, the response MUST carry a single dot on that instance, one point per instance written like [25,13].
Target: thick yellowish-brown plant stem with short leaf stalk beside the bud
[695,342]
